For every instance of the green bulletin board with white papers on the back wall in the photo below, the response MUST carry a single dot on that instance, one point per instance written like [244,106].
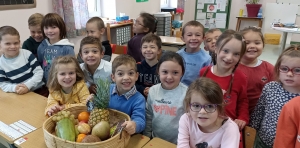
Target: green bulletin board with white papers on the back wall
[213,13]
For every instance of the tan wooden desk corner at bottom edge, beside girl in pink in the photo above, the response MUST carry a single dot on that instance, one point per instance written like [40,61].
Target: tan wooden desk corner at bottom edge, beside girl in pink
[159,143]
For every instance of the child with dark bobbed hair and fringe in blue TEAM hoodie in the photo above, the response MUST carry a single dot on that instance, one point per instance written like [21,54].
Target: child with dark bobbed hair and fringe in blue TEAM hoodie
[55,43]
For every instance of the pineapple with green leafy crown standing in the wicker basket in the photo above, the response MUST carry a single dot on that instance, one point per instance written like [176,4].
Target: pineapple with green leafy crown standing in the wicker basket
[100,103]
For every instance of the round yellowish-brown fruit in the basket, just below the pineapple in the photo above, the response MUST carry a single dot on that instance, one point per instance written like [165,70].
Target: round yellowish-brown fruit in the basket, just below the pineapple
[101,130]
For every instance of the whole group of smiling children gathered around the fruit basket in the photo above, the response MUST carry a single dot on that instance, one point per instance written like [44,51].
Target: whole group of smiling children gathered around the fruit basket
[163,95]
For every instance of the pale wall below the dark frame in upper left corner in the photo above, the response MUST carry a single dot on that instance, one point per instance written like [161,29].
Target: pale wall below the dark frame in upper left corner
[18,17]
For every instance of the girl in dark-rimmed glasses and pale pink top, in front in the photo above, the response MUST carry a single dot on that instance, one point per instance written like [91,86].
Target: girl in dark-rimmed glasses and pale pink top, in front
[204,124]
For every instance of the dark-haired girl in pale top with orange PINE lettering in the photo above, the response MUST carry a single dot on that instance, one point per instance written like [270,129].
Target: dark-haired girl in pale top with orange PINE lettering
[164,103]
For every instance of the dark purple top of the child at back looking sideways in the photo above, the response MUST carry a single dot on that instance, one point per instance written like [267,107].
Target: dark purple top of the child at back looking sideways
[134,47]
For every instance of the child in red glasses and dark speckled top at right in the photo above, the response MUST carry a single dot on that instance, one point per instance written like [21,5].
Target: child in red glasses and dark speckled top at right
[275,94]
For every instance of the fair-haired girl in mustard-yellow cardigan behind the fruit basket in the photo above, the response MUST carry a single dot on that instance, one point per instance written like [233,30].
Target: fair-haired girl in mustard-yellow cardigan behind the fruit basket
[66,85]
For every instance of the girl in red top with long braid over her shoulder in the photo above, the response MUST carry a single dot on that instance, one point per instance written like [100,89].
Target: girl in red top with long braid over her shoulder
[230,47]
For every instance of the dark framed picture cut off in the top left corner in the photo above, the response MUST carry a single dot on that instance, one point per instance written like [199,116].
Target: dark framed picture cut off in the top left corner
[17,4]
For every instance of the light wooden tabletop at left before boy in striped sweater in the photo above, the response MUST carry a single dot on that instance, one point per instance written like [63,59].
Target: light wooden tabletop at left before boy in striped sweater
[29,107]
